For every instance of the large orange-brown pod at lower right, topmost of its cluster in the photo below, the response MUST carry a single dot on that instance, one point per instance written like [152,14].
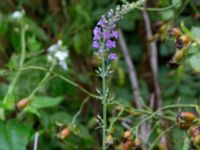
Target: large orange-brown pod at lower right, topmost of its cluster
[185,119]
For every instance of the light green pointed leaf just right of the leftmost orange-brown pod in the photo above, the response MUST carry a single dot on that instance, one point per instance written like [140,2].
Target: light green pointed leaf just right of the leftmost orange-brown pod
[45,102]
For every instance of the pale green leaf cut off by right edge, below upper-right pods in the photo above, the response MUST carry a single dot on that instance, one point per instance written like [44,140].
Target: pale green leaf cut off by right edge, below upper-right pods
[195,62]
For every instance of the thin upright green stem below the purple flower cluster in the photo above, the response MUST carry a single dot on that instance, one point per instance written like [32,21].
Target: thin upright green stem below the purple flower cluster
[104,103]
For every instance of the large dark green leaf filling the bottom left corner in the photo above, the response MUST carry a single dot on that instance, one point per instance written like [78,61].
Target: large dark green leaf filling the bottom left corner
[14,135]
